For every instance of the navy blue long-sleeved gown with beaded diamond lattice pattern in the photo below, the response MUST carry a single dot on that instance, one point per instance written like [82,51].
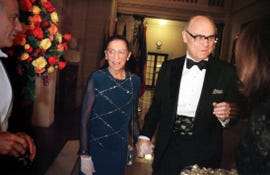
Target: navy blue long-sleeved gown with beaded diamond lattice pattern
[109,111]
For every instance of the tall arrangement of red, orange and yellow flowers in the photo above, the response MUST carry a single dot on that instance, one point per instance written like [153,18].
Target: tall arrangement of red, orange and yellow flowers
[39,48]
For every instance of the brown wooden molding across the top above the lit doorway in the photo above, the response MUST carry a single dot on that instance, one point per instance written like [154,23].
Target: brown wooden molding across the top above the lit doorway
[174,9]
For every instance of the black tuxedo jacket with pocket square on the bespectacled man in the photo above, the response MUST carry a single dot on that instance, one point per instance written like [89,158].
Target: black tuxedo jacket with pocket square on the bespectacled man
[219,85]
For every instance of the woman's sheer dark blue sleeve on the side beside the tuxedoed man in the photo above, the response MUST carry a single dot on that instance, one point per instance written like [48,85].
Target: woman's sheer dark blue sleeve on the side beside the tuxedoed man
[134,124]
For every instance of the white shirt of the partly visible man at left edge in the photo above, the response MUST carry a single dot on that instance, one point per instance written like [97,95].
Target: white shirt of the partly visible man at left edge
[5,95]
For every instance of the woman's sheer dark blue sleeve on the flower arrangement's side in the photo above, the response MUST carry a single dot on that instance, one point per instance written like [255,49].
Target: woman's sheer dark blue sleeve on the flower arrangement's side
[88,100]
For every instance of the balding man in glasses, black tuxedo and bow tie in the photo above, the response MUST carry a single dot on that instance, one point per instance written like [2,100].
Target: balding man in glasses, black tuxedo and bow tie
[191,105]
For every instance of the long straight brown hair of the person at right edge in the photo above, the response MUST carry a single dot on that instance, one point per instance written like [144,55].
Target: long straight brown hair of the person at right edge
[253,60]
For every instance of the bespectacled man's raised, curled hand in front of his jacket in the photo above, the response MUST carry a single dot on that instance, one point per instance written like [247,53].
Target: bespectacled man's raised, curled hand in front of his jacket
[225,110]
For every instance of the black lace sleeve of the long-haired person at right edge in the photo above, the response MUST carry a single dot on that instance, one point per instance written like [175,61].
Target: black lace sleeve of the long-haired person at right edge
[253,151]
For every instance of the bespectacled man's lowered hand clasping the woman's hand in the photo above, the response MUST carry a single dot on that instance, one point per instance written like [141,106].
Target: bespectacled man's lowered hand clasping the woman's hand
[144,147]
